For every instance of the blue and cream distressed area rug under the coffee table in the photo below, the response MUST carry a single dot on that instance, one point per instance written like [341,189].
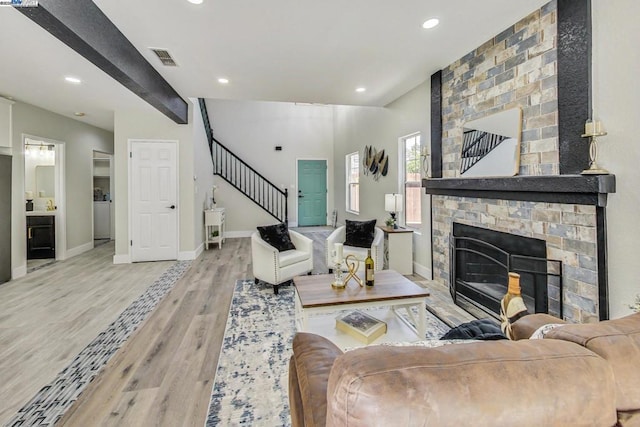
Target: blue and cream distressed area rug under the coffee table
[251,384]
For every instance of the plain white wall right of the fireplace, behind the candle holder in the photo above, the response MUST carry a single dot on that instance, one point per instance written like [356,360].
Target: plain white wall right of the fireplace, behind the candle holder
[616,60]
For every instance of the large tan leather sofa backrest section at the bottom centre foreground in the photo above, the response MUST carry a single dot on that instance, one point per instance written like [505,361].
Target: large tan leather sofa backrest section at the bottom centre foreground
[490,383]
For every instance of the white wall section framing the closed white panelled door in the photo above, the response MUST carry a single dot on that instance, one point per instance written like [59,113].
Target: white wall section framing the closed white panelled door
[148,123]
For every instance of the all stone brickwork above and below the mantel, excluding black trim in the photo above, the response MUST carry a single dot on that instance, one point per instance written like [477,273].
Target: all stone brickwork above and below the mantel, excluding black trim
[517,68]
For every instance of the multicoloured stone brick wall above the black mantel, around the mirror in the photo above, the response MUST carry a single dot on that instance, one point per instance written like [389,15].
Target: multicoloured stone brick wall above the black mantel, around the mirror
[516,68]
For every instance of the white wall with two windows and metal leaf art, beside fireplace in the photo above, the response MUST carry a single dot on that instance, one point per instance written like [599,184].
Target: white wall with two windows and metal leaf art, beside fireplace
[381,128]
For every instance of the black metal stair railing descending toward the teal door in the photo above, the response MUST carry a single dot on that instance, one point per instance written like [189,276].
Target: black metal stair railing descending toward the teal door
[243,177]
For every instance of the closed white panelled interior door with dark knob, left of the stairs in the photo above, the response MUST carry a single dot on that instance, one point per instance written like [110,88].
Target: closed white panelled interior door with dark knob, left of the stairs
[154,201]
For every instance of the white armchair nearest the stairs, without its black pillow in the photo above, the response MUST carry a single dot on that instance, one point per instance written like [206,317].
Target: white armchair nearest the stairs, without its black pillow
[275,267]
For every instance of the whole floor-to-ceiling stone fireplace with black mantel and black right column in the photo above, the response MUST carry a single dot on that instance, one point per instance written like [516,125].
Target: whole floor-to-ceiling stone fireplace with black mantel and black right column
[542,65]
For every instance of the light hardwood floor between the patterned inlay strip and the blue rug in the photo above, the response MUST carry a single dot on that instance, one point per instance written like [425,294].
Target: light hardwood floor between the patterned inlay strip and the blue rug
[162,376]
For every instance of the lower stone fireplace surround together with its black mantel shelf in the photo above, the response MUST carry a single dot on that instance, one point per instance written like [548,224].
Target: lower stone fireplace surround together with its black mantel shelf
[566,212]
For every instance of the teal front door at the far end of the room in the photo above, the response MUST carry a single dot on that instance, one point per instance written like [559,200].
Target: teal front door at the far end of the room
[312,192]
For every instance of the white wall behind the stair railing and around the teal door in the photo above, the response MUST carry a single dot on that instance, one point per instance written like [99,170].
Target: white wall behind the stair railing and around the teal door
[252,129]
